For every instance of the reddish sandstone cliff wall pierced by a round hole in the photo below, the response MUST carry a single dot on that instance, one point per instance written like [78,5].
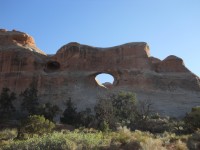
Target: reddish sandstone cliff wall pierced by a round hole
[71,72]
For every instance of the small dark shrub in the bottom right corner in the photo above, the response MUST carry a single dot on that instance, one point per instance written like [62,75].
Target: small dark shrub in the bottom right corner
[194,141]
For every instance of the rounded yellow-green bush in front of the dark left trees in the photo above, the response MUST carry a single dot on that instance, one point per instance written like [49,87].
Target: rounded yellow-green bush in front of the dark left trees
[35,125]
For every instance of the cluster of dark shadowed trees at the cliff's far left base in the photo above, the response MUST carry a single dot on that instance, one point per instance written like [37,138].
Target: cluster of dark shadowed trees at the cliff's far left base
[29,105]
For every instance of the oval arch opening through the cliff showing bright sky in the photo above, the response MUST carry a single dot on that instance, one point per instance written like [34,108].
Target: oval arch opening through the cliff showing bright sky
[105,80]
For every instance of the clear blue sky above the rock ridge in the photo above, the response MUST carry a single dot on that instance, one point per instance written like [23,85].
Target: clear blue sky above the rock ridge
[170,27]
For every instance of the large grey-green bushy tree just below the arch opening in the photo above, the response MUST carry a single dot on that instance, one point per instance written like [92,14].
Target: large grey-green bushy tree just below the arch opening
[116,109]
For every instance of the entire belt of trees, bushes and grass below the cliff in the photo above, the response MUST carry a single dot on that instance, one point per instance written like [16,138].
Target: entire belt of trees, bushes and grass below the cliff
[119,121]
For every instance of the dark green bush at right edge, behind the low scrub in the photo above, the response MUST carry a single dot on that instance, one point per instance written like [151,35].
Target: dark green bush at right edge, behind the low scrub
[192,119]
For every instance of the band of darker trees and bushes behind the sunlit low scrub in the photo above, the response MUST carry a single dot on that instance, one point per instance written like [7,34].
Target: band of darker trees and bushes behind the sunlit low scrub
[110,112]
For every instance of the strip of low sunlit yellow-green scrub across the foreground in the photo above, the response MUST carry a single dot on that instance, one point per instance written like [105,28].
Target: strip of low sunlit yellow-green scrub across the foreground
[122,138]
